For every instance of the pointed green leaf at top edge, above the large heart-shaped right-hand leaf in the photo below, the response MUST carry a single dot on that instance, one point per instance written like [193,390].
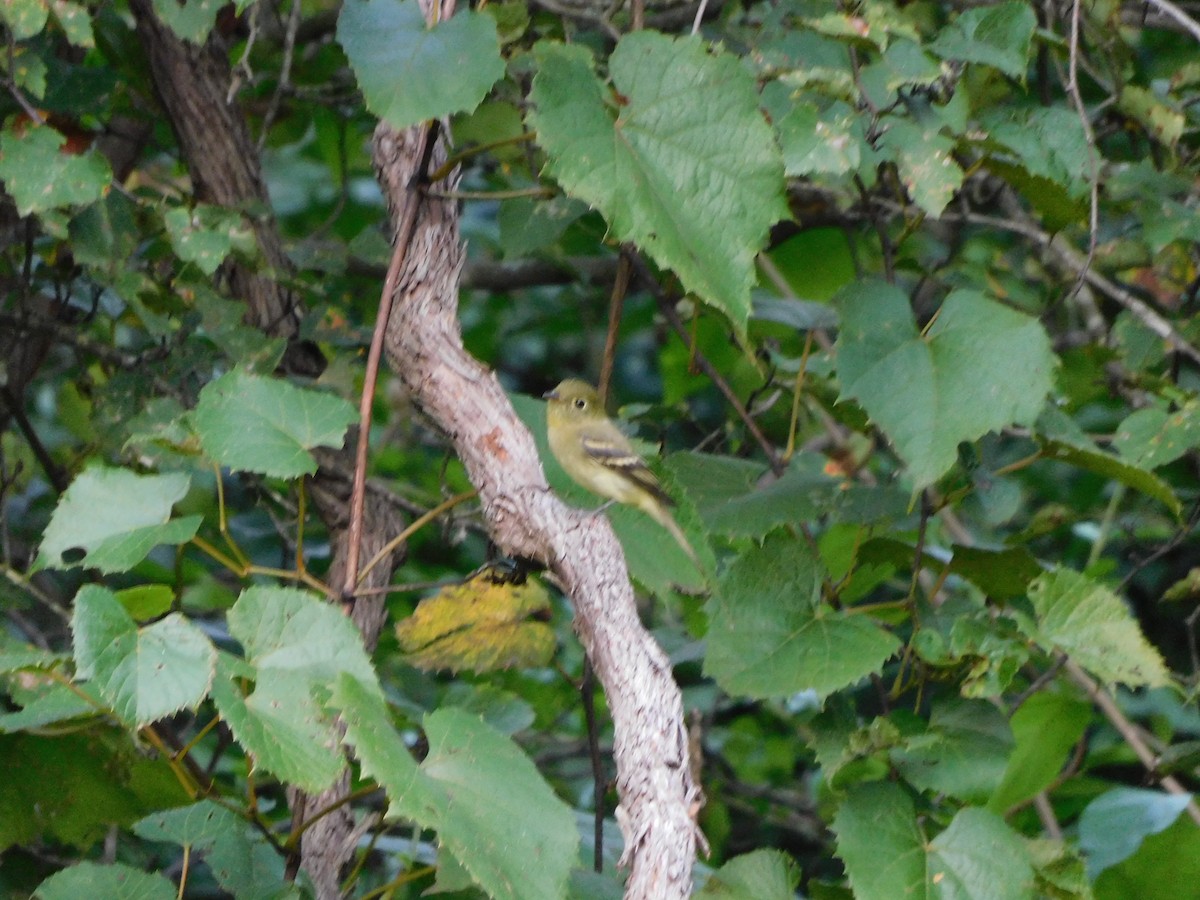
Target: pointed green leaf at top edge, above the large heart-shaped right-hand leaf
[997,37]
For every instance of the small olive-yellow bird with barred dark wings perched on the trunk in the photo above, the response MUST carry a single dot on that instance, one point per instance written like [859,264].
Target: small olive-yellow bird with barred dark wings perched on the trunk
[598,457]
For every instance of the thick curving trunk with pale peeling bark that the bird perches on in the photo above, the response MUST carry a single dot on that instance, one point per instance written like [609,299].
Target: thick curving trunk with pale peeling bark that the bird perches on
[658,795]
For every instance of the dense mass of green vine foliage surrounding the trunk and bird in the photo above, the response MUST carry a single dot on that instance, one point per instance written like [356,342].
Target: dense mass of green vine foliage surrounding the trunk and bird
[944,256]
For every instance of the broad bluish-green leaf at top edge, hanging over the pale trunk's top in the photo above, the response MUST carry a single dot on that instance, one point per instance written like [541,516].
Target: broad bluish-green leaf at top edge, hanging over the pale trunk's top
[411,73]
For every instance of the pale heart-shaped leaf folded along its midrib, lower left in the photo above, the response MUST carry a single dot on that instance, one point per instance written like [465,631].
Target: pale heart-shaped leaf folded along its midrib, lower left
[143,674]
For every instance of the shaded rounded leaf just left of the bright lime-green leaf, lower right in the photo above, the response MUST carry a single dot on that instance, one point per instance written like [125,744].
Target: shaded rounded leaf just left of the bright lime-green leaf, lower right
[963,754]
